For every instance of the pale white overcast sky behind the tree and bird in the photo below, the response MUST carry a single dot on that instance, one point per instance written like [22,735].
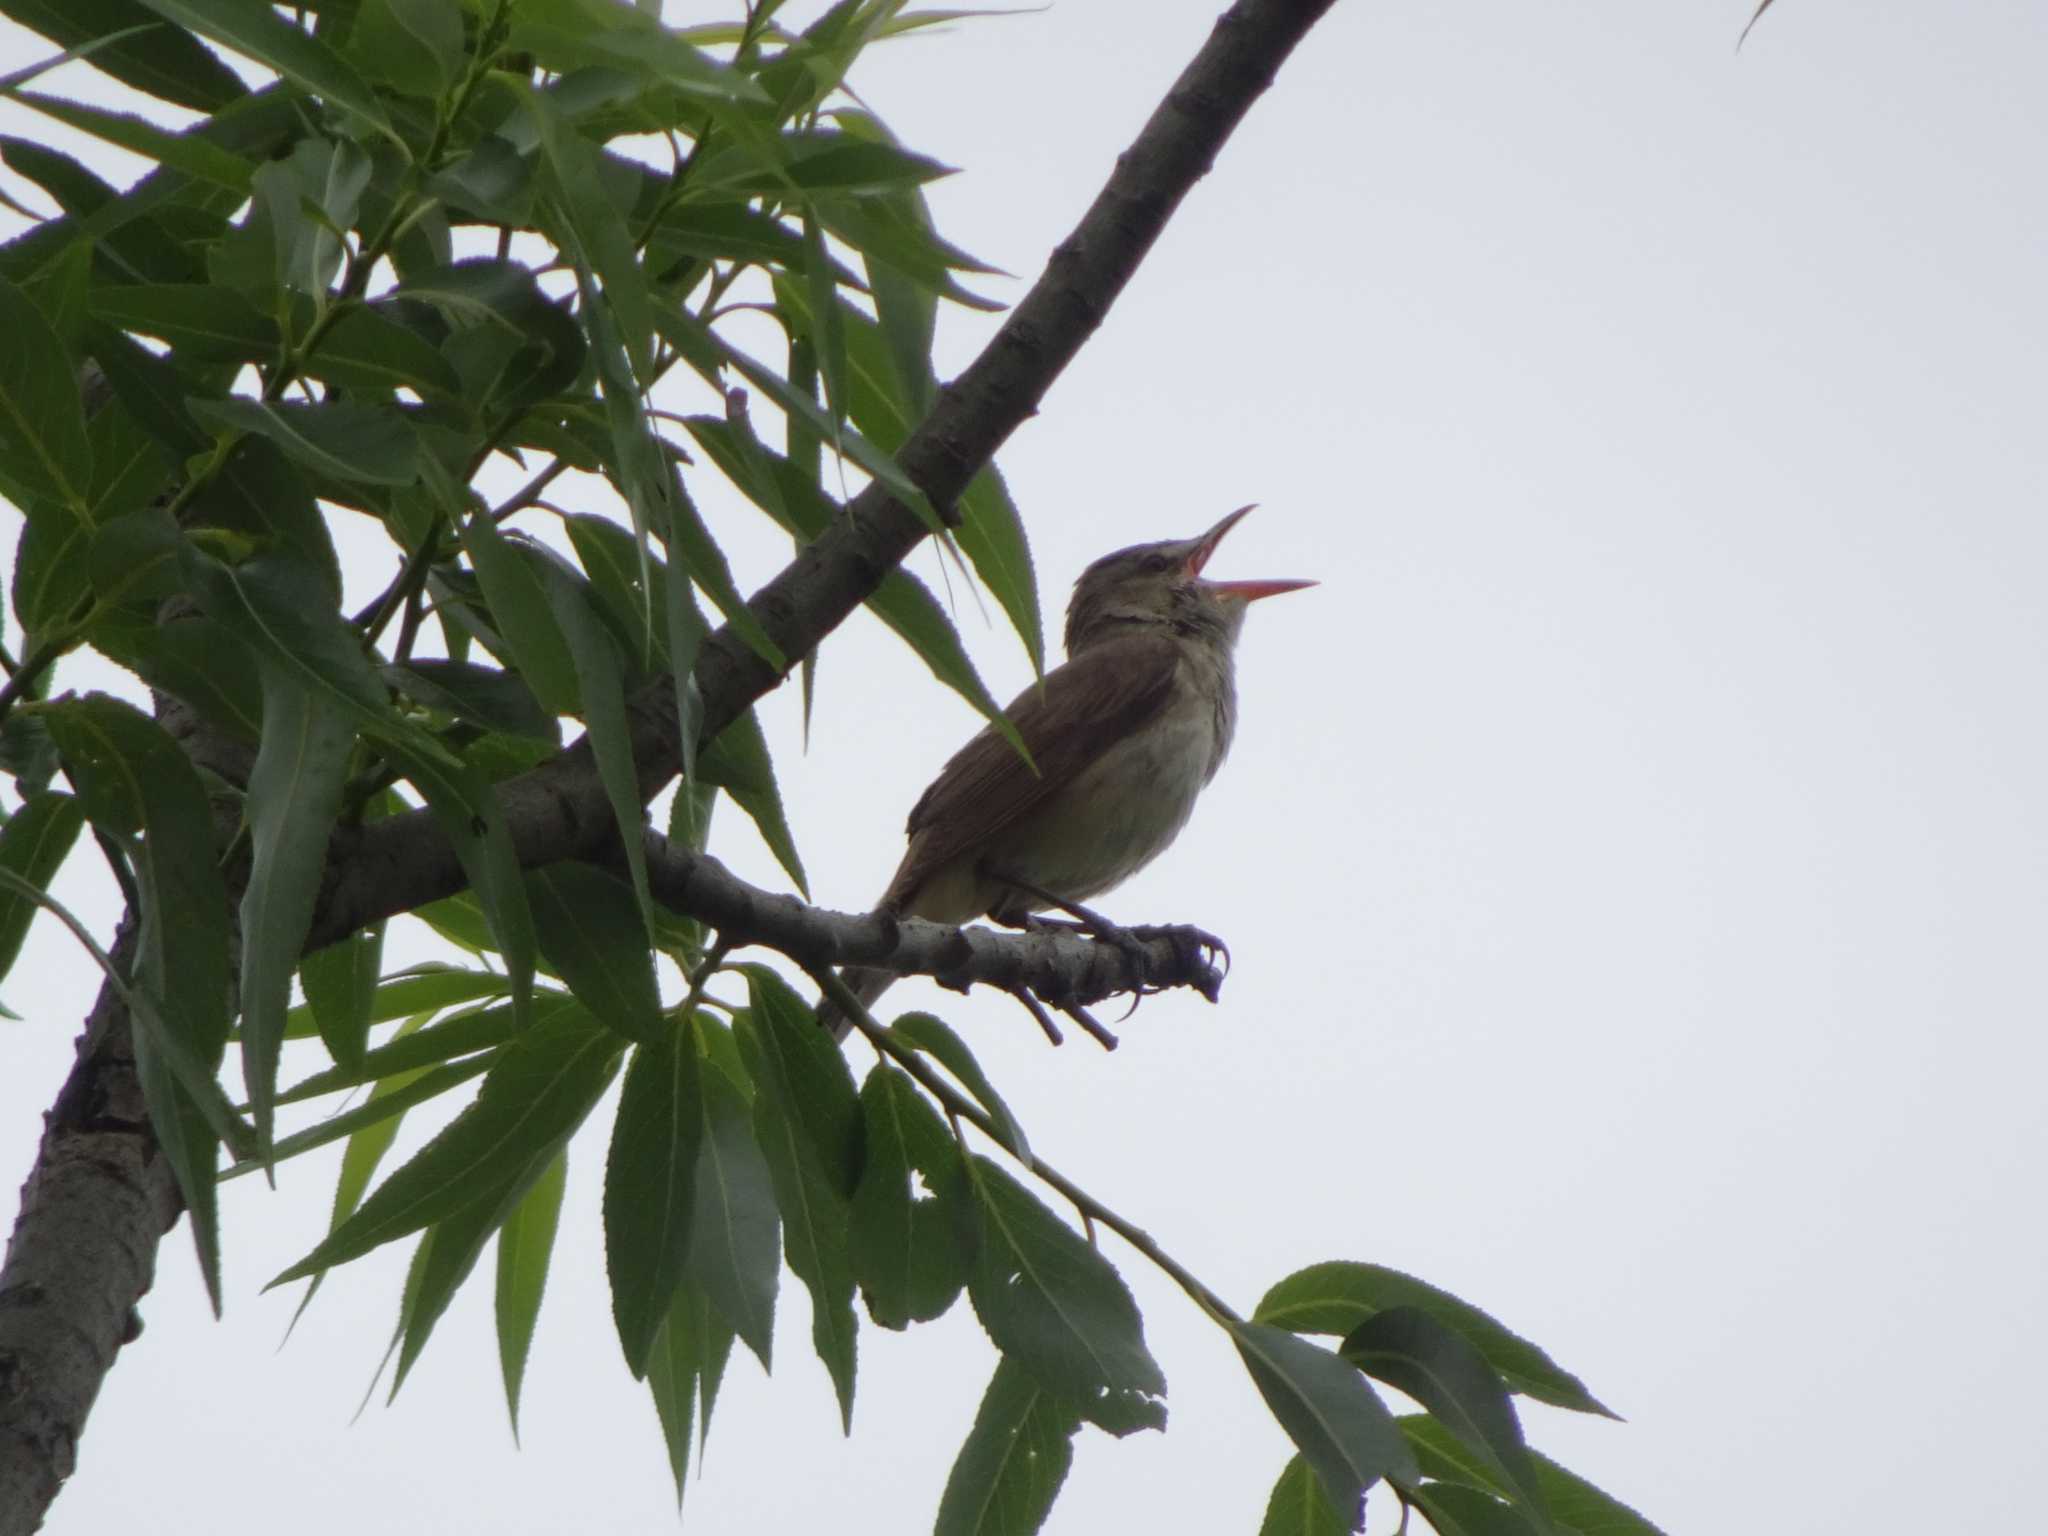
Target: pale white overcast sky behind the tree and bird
[1633,855]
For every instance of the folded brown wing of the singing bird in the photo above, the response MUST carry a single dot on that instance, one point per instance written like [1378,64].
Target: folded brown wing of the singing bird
[1068,722]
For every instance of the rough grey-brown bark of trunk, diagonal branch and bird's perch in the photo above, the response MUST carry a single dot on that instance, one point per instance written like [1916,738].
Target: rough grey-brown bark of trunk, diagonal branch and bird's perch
[99,1197]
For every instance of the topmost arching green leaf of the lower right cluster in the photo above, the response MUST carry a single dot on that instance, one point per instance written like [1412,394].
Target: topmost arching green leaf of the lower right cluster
[1340,1295]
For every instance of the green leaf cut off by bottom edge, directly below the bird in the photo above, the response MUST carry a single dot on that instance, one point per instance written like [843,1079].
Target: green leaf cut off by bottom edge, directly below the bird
[1015,1459]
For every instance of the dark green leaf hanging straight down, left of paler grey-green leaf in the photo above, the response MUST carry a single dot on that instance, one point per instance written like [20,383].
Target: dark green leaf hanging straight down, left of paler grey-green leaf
[650,1183]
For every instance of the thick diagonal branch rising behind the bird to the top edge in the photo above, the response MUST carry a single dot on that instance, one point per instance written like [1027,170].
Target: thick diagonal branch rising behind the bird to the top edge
[560,810]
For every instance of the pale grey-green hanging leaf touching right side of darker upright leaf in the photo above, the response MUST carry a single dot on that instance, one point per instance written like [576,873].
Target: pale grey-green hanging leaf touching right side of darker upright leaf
[734,1226]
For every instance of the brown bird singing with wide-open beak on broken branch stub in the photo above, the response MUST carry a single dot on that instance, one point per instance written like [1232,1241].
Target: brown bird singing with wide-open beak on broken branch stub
[1123,736]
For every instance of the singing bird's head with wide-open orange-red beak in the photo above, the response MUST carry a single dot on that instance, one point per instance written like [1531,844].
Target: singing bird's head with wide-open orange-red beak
[1164,587]
